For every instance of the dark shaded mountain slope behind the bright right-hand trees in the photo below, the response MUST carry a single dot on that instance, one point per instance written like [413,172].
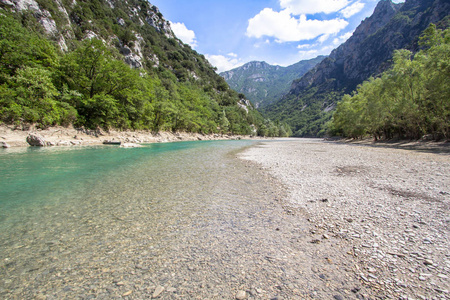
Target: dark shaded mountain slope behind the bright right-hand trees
[368,52]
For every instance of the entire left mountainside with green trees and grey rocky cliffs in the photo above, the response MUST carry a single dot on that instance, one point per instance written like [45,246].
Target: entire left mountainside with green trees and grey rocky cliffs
[109,64]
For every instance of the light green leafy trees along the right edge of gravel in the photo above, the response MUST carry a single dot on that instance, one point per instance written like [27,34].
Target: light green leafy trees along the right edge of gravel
[410,100]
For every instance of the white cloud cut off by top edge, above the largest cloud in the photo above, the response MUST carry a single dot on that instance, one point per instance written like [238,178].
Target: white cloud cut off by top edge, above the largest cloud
[298,7]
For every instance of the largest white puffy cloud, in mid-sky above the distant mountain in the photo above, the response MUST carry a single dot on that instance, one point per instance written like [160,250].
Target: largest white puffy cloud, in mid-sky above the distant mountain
[287,28]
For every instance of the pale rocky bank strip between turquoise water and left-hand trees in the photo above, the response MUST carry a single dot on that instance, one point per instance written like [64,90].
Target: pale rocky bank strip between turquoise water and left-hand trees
[69,136]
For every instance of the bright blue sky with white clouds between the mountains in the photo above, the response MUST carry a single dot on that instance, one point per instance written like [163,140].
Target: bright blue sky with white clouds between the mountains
[231,33]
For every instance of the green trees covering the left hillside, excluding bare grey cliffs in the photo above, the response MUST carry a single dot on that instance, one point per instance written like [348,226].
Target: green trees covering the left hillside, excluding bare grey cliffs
[91,86]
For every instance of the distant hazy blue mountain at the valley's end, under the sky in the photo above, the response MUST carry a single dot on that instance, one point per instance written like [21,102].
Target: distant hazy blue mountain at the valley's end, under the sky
[263,83]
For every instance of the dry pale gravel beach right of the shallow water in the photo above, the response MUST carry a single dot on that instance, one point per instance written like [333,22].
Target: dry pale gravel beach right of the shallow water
[378,216]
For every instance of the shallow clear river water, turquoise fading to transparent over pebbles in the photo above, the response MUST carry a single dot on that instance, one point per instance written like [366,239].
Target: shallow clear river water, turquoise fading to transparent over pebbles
[98,222]
